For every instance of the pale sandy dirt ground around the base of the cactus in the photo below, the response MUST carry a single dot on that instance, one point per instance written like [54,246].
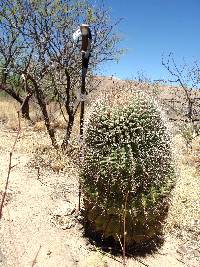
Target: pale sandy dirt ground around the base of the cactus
[40,226]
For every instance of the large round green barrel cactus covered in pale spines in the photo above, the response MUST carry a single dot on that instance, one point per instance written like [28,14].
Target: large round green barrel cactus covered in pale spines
[128,170]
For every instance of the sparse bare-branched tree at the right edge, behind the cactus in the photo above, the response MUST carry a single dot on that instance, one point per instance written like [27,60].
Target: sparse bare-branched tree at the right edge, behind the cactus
[187,104]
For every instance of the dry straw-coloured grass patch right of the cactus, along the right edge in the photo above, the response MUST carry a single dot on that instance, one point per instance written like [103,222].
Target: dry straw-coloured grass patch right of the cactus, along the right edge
[185,207]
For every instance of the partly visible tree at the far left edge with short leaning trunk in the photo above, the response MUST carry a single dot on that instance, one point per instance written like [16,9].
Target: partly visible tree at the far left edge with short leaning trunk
[11,48]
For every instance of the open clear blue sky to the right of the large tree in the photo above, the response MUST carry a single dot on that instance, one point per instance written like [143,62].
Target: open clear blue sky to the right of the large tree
[151,28]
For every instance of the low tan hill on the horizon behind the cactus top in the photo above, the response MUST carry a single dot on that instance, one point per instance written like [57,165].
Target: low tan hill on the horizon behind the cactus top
[173,99]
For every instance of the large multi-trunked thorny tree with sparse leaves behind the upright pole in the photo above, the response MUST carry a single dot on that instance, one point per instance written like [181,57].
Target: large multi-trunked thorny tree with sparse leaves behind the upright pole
[51,64]
